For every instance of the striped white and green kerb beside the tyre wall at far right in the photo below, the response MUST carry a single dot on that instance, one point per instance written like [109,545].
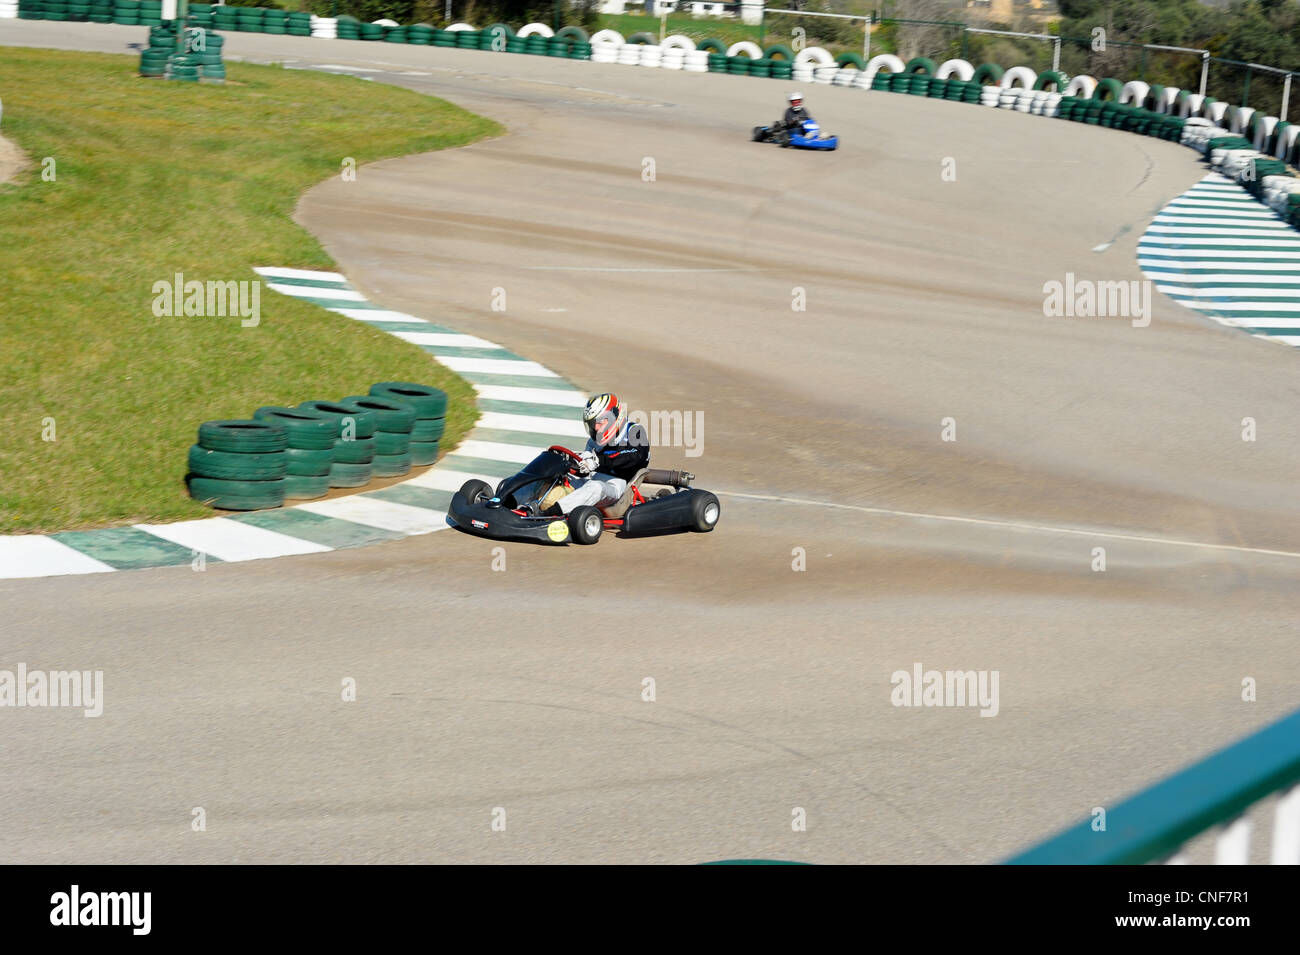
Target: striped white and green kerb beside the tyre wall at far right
[1230,258]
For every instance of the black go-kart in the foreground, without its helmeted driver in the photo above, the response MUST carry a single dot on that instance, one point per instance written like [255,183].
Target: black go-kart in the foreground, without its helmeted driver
[526,507]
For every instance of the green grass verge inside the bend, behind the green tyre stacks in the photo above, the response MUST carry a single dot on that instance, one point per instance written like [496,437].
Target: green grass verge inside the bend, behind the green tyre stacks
[153,179]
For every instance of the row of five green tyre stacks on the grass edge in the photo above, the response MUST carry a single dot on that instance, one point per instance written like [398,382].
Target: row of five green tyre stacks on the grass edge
[300,454]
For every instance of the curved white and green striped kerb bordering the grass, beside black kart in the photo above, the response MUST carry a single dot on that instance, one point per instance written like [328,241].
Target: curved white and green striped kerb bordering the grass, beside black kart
[523,406]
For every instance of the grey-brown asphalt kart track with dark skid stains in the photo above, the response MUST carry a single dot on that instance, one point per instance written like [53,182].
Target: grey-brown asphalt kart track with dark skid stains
[522,689]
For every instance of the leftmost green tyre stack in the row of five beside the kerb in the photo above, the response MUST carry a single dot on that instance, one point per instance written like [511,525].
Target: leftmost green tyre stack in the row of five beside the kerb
[239,466]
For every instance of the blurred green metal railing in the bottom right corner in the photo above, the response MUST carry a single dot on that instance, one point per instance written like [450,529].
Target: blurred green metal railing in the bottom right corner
[1154,824]
